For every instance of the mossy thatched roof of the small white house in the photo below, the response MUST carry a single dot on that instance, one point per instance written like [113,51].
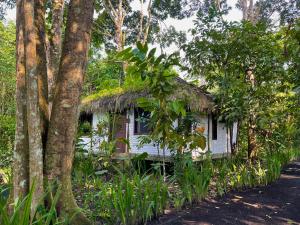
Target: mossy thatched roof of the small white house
[119,99]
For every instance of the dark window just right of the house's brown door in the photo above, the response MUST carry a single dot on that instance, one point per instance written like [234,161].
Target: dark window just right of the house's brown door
[141,121]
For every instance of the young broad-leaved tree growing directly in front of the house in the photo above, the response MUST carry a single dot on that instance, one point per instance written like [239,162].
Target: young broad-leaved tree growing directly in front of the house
[160,76]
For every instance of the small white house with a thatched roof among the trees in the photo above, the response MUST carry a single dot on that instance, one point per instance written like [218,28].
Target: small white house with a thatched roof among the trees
[131,123]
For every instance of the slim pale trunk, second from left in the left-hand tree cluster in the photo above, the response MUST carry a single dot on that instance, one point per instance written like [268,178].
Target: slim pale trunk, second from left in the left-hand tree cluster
[33,115]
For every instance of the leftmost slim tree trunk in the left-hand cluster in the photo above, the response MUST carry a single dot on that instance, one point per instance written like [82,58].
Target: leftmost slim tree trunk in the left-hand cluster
[21,154]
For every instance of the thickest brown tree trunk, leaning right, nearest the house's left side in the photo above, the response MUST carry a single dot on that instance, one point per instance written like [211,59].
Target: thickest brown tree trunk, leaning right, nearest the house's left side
[64,116]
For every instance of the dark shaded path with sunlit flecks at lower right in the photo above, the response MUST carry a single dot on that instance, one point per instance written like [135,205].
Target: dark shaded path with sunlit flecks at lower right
[278,203]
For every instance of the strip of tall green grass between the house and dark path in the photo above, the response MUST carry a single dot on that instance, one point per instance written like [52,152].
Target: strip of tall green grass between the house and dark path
[134,197]
